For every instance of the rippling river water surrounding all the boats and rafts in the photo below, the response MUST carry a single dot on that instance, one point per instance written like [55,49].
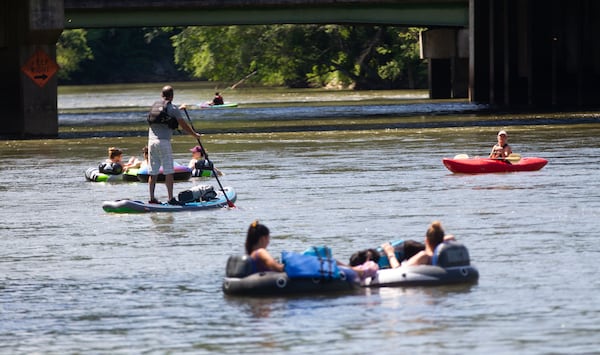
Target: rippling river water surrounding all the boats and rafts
[74,279]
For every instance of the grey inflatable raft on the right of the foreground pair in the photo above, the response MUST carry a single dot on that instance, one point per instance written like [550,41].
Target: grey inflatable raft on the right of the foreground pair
[450,265]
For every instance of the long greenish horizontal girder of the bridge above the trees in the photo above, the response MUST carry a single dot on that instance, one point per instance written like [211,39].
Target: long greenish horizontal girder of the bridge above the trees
[78,14]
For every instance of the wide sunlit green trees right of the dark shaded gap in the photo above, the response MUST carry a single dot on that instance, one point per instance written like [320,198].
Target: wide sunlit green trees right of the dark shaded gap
[365,57]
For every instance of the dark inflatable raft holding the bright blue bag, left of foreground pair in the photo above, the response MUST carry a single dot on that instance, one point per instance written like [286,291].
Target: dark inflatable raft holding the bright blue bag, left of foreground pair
[243,281]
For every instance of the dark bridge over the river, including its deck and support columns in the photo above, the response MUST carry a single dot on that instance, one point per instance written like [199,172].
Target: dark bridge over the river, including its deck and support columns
[508,53]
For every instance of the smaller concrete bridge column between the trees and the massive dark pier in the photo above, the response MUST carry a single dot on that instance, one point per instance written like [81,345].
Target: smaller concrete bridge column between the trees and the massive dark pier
[447,51]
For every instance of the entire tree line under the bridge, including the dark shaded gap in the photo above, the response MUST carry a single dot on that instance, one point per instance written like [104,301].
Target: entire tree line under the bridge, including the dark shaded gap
[362,57]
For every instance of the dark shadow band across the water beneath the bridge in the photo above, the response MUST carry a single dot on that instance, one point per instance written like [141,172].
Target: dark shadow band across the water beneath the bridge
[426,115]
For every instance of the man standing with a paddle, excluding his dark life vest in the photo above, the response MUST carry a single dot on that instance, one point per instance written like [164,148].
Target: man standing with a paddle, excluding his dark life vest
[160,151]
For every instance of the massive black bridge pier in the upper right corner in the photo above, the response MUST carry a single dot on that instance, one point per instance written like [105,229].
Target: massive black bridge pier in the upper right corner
[534,53]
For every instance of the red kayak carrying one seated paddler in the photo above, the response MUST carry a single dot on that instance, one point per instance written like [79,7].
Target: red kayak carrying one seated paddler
[486,165]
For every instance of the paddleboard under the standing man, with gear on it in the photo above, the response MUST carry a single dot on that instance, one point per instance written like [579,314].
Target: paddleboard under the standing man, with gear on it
[132,206]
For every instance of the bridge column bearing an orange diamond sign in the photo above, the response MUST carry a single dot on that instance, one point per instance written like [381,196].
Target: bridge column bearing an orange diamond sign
[28,35]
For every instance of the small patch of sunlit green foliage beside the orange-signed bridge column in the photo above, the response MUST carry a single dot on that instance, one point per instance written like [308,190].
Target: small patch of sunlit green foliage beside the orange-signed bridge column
[71,50]
